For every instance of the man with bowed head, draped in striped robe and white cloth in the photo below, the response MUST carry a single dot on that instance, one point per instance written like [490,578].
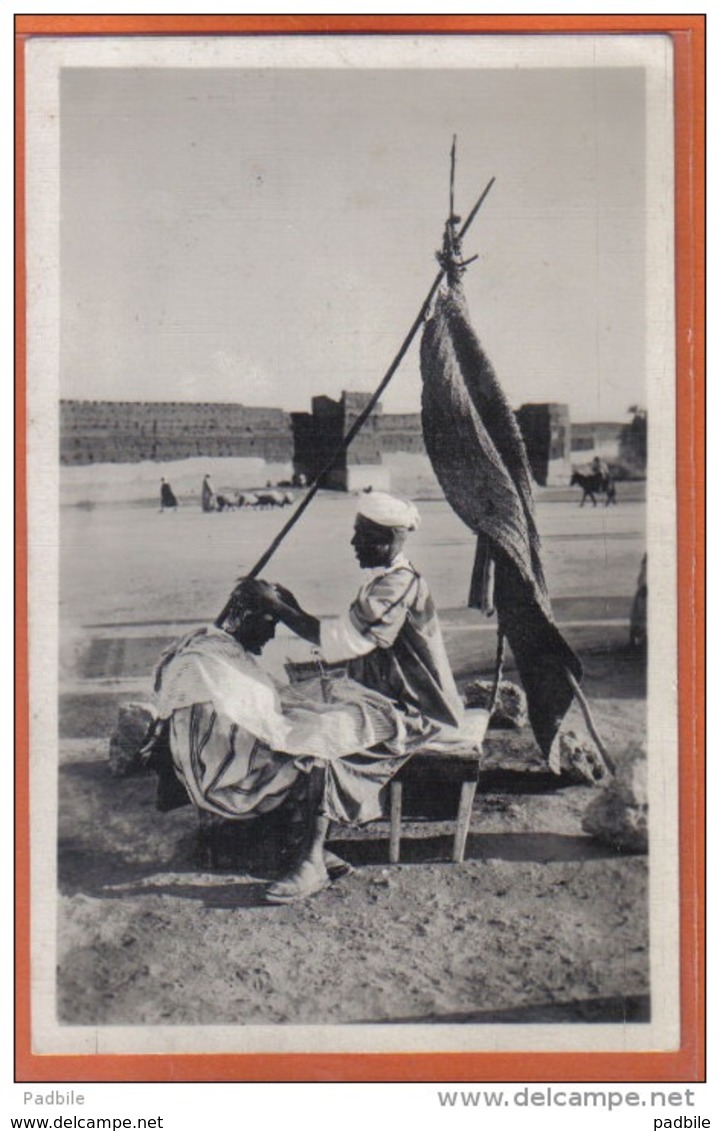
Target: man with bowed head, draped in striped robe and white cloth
[240,741]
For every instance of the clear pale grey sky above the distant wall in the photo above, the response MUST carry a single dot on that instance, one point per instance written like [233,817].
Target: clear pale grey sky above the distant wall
[267,235]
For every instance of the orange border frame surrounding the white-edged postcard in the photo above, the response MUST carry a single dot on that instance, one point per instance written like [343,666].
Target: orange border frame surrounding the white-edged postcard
[688,1063]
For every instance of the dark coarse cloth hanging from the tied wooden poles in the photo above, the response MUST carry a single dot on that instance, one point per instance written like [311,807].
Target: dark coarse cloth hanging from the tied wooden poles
[480,459]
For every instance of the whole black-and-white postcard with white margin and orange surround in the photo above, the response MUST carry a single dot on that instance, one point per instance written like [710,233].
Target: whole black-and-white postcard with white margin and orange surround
[354,468]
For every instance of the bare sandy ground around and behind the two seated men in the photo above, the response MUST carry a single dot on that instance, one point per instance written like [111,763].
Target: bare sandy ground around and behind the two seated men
[540,923]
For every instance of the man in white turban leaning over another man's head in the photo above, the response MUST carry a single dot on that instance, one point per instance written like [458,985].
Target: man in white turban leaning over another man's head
[391,636]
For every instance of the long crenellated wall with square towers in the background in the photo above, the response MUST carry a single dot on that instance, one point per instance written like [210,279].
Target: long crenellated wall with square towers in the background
[105,431]
